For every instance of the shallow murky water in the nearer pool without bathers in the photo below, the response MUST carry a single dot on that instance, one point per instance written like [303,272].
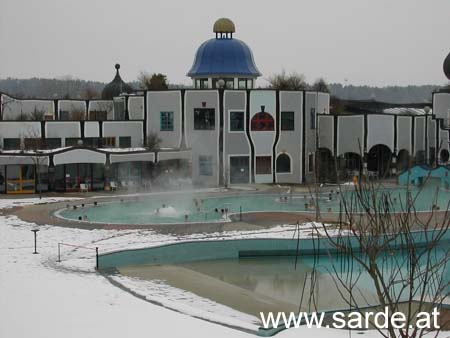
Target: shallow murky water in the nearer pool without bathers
[252,285]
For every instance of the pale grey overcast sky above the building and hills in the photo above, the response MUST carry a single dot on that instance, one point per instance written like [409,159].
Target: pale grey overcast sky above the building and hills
[373,42]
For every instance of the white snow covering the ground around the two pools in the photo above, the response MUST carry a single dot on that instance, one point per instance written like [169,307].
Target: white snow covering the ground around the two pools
[40,297]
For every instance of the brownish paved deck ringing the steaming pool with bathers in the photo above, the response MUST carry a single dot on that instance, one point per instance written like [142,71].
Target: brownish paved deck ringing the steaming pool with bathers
[44,214]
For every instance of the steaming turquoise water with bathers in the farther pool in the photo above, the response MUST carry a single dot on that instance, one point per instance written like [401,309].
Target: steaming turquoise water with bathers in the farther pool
[200,207]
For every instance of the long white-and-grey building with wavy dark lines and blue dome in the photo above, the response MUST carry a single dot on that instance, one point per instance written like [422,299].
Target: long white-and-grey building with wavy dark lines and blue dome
[221,132]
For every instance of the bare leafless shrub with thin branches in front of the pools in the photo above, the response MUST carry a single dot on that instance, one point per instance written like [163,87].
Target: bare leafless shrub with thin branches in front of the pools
[380,236]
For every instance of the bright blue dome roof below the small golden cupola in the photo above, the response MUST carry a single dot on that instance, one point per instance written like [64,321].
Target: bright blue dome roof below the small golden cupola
[224,56]
